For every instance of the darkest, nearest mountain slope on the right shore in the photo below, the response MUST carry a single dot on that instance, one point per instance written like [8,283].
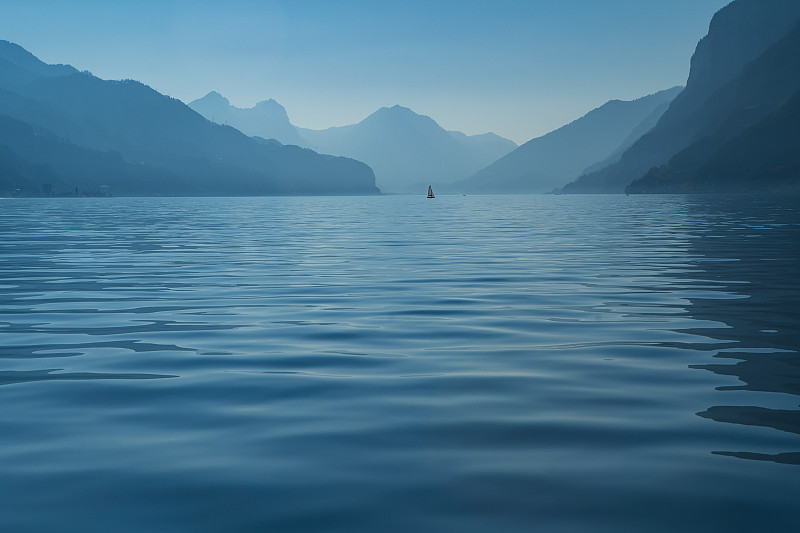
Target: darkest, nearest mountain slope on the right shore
[756,147]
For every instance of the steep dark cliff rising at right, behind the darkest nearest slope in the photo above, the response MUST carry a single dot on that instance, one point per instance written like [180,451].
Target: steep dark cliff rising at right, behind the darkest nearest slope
[738,34]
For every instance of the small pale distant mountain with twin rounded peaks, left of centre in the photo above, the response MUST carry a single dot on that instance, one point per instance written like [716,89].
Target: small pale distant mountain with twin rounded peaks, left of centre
[267,119]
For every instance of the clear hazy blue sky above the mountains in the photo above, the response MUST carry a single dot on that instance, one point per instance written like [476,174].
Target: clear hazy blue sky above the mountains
[518,68]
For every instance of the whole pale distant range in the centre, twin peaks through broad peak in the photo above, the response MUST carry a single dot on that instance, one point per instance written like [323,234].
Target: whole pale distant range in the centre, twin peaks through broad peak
[406,150]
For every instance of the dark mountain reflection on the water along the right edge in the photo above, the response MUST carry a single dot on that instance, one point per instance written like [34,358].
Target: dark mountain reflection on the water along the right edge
[751,248]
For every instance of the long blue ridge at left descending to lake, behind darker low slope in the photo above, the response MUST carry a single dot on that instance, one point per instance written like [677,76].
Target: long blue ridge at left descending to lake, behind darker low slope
[151,130]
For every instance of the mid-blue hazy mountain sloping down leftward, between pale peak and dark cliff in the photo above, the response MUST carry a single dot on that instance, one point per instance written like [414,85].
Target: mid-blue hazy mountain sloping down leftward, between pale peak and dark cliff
[552,160]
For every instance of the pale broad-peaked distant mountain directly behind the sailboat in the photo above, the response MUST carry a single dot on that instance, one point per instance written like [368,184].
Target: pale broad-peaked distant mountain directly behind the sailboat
[406,149]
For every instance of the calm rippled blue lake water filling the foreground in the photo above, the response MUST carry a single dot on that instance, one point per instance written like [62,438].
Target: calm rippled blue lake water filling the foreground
[397,364]
